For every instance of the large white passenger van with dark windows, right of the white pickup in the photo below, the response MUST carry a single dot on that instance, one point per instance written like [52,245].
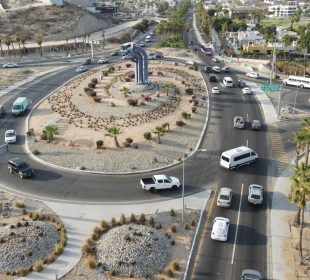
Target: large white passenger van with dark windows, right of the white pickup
[238,156]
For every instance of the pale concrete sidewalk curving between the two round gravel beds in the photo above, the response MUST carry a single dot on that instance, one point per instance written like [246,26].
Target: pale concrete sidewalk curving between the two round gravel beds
[80,221]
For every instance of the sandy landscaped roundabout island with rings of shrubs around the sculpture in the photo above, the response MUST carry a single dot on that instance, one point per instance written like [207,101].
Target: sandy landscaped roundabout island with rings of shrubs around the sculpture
[86,107]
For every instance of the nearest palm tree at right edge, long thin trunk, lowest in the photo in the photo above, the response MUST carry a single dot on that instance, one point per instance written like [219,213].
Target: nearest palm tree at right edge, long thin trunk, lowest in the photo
[299,190]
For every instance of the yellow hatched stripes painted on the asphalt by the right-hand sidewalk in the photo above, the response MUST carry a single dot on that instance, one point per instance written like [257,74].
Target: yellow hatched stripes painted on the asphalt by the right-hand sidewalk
[279,154]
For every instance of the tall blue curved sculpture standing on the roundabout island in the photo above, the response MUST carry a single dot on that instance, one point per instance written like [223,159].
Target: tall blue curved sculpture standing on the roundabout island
[140,58]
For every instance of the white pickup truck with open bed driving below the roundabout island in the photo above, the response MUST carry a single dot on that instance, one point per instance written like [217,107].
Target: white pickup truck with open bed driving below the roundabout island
[160,182]
